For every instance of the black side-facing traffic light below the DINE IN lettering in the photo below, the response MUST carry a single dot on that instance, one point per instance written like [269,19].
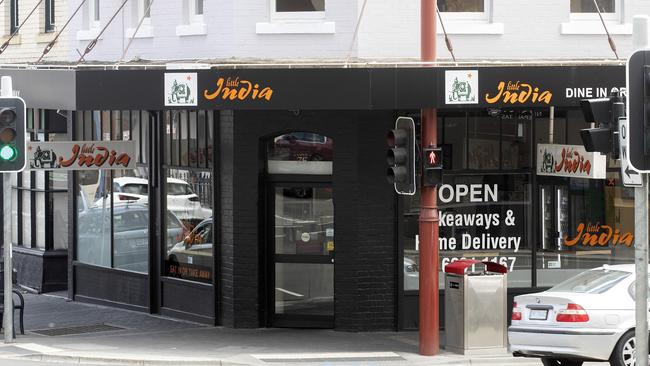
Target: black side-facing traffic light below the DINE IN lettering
[606,113]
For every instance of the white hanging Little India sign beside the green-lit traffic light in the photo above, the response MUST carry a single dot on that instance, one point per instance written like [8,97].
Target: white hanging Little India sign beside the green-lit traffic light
[78,155]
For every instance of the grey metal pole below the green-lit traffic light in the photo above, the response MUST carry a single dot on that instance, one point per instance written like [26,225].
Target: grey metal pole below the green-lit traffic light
[7,314]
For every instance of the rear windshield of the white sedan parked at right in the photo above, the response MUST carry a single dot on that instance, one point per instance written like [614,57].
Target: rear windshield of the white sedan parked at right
[591,282]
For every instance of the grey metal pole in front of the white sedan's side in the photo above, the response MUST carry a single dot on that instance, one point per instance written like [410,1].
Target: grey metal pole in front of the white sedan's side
[641,268]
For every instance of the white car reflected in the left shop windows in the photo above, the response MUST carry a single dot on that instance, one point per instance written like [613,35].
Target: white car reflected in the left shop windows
[181,200]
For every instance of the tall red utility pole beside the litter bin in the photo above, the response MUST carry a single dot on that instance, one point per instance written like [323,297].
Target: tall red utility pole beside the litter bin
[429,308]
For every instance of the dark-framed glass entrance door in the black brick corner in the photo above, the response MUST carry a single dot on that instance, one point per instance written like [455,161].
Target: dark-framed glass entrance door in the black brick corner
[302,265]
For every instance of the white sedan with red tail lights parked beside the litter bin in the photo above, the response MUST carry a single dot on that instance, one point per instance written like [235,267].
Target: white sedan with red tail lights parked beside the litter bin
[588,317]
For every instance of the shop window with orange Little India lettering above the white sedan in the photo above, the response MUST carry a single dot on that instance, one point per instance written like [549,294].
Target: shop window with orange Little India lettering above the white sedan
[583,223]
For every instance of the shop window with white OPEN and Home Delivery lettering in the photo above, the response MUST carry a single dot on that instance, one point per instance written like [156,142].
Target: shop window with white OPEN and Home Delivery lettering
[483,217]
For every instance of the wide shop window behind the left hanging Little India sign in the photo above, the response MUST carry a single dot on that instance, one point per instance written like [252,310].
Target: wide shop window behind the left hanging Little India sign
[112,206]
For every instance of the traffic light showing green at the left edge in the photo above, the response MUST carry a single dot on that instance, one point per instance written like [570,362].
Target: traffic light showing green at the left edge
[12,134]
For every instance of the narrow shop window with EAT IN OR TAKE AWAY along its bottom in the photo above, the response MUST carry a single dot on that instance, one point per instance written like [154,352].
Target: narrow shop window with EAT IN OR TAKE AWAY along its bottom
[189,189]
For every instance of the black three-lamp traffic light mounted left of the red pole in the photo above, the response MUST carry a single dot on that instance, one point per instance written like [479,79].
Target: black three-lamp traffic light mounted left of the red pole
[401,156]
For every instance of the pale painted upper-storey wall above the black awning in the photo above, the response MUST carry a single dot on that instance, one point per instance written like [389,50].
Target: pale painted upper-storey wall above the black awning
[389,30]
